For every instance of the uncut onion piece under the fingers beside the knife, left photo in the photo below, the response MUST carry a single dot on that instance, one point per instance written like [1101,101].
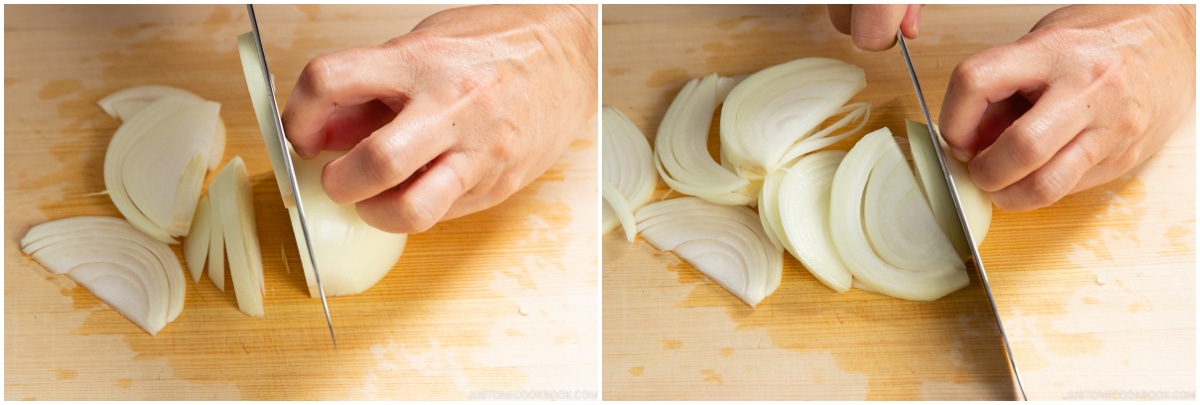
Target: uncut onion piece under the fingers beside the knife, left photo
[351,255]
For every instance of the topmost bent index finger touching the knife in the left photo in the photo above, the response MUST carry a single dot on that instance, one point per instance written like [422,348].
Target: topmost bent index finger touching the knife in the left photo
[345,78]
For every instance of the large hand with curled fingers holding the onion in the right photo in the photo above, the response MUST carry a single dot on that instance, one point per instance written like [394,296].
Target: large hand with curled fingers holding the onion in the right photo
[1088,95]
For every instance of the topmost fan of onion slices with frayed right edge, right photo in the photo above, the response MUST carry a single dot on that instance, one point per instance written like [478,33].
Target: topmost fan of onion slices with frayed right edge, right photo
[771,117]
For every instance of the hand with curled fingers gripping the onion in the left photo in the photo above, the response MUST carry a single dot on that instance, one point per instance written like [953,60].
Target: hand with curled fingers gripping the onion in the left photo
[453,118]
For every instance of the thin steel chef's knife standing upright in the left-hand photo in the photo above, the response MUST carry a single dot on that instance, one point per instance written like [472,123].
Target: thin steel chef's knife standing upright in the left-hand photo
[281,162]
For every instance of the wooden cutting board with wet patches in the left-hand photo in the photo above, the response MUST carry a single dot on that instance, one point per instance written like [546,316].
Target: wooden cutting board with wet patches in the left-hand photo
[497,304]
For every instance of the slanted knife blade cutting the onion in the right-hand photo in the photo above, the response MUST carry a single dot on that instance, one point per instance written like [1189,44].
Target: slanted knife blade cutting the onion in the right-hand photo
[958,209]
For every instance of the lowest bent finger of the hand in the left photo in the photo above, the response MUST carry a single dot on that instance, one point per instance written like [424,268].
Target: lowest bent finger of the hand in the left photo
[422,203]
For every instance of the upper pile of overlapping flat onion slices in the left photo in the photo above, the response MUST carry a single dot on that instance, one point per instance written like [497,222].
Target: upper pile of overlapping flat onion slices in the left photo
[158,159]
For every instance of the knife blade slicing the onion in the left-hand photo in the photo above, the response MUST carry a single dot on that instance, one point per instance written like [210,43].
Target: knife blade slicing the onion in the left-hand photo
[275,135]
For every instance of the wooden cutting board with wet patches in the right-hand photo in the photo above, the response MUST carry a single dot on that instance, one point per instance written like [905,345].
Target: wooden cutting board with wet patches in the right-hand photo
[1097,292]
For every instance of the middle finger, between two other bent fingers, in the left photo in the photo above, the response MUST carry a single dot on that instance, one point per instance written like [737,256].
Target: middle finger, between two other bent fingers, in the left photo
[389,156]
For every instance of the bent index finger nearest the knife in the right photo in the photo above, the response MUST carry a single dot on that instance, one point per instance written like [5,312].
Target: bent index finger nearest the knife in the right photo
[979,82]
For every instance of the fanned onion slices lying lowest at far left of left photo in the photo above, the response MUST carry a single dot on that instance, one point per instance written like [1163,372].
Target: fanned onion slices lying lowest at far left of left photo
[136,275]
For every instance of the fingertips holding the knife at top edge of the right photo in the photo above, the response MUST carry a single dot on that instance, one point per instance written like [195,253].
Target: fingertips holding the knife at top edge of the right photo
[874,27]
